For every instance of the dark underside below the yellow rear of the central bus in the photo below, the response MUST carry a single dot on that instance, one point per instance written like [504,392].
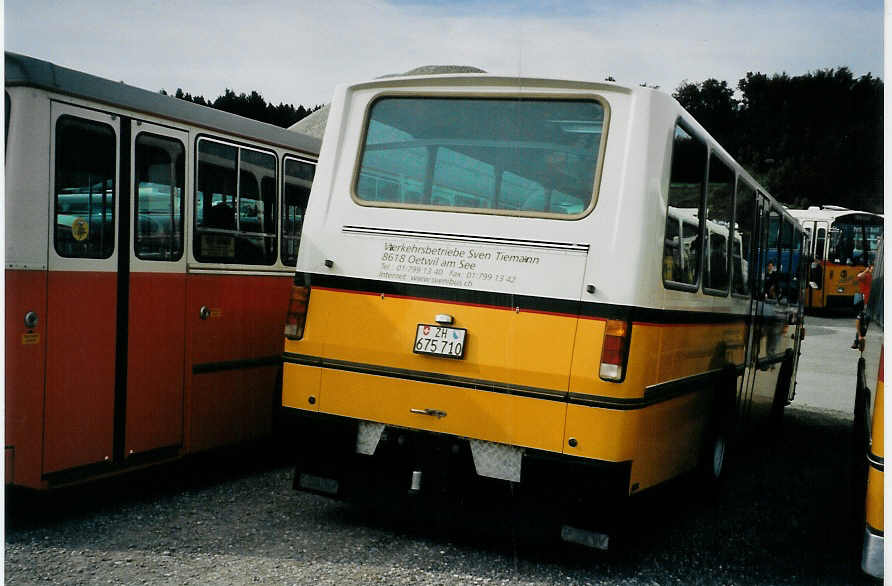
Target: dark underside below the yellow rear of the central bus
[328,462]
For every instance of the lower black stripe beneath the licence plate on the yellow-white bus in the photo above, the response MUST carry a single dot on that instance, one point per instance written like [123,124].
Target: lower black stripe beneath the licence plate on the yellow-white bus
[652,395]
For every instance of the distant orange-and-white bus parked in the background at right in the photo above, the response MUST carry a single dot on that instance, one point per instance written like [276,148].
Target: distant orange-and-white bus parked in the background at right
[843,243]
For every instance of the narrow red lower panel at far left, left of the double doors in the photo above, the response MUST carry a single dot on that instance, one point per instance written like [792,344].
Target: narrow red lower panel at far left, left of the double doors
[25,363]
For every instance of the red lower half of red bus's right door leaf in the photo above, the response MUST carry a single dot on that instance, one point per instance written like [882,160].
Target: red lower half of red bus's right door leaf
[155,362]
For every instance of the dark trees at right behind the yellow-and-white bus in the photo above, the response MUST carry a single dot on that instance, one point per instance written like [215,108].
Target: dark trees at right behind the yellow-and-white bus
[809,139]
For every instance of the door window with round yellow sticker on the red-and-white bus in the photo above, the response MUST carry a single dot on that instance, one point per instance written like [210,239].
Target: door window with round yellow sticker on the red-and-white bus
[84,188]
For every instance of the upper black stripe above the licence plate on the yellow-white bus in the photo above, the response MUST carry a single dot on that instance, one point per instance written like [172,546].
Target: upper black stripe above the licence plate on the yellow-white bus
[521,302]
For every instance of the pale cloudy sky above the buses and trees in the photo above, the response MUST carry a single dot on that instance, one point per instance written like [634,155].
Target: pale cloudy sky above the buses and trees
[297,51]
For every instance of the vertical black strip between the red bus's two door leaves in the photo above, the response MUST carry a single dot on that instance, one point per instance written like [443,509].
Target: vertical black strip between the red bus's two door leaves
[123,293]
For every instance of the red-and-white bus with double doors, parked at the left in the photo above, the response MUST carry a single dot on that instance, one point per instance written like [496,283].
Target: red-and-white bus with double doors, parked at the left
[149,242]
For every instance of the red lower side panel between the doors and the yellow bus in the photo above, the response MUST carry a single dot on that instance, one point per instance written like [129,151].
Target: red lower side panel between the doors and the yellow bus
[230,397]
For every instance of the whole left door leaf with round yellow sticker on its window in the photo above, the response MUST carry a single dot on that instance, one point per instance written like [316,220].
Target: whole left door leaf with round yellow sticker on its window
[82,289]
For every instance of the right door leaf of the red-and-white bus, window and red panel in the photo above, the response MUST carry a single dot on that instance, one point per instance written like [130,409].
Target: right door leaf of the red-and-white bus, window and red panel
[157,291]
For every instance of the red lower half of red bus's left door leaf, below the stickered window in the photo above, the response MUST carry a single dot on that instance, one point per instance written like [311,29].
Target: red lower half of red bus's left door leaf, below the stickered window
[80,373]
